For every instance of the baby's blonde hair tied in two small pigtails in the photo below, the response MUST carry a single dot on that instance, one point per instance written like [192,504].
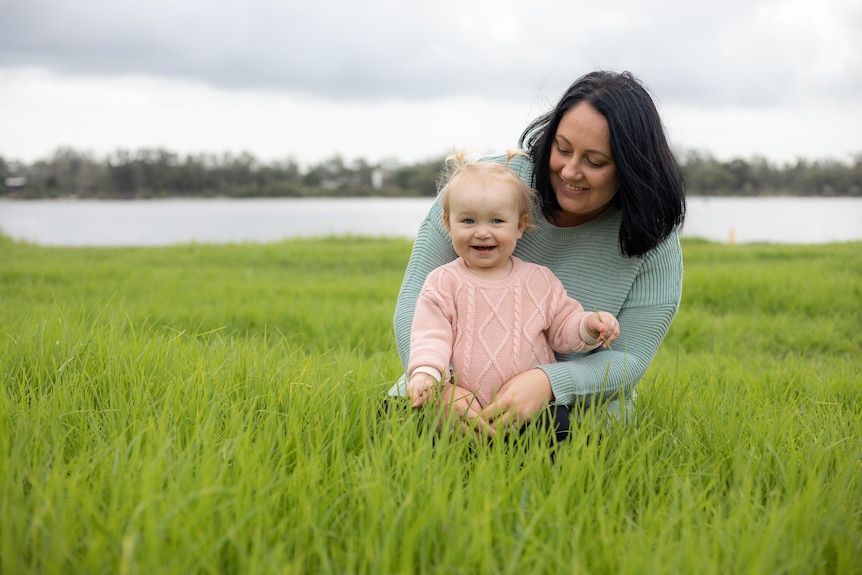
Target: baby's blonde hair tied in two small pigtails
[458,170]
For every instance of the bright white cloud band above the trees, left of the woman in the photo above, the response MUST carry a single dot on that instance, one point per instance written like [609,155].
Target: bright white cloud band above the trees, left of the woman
[101,115]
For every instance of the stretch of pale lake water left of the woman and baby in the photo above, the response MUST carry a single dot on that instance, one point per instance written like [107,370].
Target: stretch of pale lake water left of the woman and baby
[166,222]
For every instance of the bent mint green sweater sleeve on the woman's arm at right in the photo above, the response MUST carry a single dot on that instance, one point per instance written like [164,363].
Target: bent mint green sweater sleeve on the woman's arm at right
[645,317]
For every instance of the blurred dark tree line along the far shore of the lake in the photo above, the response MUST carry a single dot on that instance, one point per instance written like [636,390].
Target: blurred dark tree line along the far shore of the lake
[154,173]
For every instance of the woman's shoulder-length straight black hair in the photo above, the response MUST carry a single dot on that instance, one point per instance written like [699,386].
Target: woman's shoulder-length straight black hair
[651,194]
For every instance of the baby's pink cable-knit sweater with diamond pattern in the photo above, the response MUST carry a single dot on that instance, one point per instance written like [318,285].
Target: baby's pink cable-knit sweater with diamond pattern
[490,331]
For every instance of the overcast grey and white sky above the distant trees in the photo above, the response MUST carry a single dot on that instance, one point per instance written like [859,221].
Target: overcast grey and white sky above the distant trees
[409,81]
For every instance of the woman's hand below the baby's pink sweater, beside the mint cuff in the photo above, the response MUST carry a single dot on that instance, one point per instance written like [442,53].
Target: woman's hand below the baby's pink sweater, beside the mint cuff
[518,401]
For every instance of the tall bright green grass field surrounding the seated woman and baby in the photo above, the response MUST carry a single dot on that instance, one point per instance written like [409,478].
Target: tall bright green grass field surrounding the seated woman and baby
[213,409]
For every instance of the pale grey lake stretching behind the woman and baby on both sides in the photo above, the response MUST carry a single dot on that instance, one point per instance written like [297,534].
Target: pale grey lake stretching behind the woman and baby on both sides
[175,221]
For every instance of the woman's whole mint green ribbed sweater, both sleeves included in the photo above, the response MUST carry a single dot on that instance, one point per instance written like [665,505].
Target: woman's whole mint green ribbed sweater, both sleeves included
[643,293]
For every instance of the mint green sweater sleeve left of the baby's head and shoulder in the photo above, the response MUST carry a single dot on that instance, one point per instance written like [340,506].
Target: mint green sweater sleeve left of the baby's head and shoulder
[431,249]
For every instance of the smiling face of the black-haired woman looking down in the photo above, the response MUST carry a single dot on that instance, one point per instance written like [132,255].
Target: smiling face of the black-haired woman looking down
[583,173]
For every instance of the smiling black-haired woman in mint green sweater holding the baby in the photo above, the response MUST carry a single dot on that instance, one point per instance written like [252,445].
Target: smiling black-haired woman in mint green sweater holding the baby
[612,200]
